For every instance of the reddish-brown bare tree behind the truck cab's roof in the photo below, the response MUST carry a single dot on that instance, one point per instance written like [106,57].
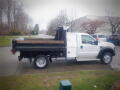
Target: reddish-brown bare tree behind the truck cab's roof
[91,26]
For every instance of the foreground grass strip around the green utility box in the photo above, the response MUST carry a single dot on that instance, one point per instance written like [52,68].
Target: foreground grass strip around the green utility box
[82,80]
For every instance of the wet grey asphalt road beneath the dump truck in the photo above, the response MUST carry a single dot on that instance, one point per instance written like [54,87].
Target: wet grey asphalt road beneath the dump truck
[9,64]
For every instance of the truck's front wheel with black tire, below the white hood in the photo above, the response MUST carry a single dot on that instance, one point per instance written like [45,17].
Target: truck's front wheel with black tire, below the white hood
[106,58]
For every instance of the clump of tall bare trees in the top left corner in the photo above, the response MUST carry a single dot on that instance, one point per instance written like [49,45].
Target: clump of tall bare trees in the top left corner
[13,15]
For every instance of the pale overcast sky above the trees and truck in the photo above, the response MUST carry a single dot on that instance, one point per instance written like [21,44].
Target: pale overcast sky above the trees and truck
[42,11]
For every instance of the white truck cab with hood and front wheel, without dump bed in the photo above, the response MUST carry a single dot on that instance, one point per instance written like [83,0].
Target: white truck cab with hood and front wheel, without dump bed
[84,47]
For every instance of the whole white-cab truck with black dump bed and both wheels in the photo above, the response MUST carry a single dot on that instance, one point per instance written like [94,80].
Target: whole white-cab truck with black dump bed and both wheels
[78,46]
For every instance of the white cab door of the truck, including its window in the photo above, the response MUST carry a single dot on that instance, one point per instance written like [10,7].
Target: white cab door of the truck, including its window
[87,48]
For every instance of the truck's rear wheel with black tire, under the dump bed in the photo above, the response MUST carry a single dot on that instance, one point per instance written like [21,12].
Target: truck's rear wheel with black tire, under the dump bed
[41,62]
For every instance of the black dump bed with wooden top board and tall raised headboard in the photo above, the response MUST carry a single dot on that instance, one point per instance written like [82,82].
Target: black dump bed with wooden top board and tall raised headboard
[56,44]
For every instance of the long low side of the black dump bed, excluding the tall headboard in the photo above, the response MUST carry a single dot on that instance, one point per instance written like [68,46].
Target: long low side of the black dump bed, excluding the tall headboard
[37,45]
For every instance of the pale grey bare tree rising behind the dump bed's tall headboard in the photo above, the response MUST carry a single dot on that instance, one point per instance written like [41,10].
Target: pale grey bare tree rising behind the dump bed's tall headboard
[59,21]
